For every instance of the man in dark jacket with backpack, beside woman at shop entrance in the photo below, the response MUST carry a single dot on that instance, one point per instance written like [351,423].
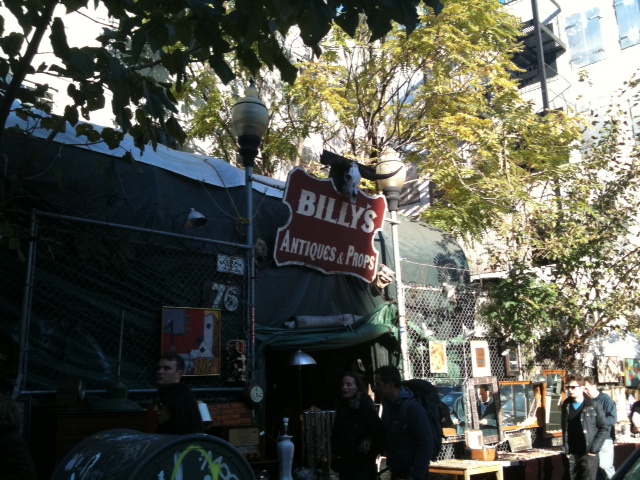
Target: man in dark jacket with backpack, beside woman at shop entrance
[408,429]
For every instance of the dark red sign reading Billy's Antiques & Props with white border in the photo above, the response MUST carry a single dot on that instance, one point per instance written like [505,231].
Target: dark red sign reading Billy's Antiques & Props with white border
[325,231]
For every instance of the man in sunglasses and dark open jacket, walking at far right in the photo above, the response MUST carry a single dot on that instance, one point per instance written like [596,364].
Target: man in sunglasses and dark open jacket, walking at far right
[584,430]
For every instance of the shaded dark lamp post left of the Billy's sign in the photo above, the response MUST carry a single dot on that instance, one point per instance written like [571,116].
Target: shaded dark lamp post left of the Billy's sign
[249,119]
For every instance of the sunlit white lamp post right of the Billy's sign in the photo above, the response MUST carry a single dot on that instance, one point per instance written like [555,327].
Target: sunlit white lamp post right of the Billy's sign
[390,162]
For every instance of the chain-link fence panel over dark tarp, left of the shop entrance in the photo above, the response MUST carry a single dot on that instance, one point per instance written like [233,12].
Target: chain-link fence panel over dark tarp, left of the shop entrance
[94,296]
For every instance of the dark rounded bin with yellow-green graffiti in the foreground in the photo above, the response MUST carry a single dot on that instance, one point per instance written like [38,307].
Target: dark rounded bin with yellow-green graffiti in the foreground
[131,455]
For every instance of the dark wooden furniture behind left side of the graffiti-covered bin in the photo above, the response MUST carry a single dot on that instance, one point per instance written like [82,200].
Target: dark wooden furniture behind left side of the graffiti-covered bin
[54,433]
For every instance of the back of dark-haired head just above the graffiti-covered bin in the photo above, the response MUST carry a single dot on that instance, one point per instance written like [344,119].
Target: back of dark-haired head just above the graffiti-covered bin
[177,410]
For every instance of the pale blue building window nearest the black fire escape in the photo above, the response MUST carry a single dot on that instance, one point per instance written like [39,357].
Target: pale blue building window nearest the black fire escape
[584,33]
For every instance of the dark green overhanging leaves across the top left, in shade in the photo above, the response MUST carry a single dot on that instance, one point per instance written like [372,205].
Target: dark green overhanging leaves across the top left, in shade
[163,40]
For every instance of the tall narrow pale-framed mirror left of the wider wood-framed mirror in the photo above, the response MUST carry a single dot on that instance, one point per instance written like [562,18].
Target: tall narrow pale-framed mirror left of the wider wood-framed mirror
[485,407]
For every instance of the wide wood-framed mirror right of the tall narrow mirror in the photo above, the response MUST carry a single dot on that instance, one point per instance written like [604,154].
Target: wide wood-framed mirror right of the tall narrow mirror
[519,402]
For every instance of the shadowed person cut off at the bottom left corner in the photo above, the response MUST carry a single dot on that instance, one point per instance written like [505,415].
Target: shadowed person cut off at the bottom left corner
[15,460]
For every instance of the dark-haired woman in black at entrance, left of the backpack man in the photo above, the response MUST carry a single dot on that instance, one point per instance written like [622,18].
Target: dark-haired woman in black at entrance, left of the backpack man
[357,436]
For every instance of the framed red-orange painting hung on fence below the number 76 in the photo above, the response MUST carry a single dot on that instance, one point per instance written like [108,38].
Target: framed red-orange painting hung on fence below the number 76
[194,334]
